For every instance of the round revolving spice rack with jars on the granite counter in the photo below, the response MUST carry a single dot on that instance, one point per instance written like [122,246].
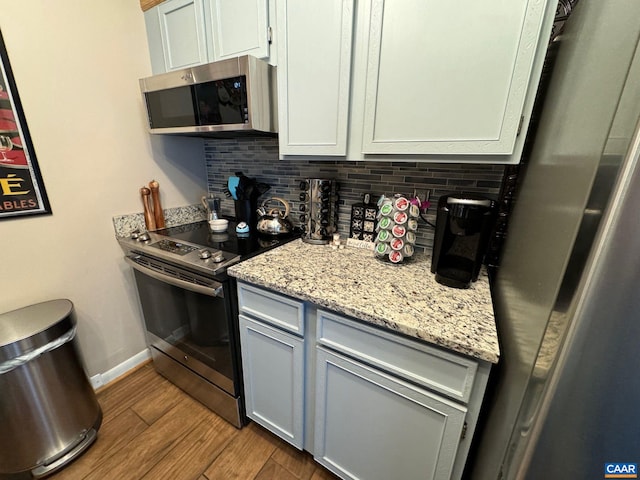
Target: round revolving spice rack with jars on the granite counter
[318,210]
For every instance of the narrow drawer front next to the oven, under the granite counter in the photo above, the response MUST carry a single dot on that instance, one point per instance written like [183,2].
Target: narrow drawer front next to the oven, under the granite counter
[279,310]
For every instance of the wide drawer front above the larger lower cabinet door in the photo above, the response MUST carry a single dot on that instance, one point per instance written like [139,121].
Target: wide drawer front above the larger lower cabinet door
[449,374]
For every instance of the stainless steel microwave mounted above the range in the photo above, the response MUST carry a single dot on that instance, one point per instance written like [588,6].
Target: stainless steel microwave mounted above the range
[230,97]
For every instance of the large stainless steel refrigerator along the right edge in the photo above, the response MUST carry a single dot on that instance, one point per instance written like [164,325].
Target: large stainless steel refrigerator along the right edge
[566,398]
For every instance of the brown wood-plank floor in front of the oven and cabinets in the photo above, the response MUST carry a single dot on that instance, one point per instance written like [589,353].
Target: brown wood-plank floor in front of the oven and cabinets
[152,430]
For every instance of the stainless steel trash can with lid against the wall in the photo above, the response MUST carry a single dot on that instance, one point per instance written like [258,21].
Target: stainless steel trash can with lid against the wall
[49,413]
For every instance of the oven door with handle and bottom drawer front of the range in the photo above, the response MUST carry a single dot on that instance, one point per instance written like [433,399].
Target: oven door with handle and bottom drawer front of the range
[188,319]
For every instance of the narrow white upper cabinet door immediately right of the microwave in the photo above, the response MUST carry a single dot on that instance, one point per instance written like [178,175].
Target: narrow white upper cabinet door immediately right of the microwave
[314,71]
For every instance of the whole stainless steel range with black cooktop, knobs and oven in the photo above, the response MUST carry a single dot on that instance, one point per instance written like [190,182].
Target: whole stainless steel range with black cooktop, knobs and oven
[190,308]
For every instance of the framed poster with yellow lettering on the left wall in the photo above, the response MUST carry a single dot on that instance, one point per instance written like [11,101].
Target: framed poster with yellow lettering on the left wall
[21,188]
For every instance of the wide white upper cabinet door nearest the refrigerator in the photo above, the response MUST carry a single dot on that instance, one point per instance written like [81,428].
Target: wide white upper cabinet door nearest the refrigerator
[448,77]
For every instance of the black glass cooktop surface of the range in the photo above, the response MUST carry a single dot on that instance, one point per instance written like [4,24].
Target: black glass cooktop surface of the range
[245,245]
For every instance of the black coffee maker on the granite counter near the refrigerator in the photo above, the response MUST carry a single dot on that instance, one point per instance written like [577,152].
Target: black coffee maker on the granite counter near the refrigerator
[463,225]
